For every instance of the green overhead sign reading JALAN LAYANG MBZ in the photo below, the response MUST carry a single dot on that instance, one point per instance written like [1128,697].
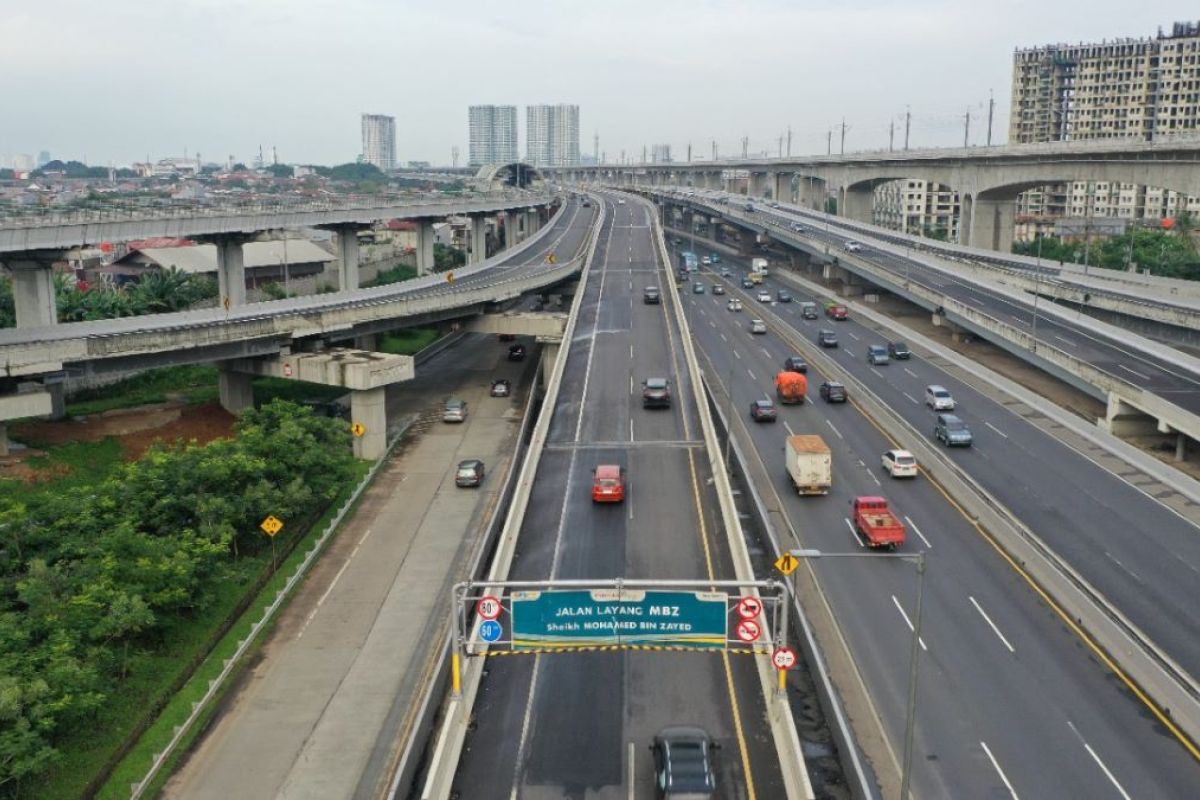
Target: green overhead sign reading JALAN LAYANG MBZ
[620,617]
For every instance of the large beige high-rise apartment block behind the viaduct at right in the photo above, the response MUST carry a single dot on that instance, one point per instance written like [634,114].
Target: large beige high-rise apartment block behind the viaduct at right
[1127,88]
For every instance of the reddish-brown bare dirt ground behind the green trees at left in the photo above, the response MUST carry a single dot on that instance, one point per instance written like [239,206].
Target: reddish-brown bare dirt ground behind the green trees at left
[136,429]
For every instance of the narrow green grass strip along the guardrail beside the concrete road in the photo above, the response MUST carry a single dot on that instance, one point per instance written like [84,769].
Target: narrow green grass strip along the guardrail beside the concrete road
[135,766]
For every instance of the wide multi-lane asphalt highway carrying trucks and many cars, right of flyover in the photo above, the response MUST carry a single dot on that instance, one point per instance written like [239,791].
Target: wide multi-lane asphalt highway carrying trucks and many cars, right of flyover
[1011,702]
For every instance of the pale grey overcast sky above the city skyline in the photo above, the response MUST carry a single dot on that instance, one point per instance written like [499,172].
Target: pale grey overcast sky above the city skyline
[118,81]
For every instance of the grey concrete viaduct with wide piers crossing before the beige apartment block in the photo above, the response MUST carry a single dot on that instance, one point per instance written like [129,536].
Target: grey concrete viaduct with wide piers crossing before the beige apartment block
[987,179]
